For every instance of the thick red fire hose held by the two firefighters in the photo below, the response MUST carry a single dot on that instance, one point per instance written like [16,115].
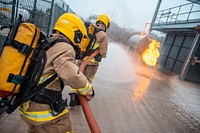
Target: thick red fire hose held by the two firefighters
[94,128]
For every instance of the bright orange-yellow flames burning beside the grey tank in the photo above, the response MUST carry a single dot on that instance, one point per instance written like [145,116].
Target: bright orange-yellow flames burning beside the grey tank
[151,53]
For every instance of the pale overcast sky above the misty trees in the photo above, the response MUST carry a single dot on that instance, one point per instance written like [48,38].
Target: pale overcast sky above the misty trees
[126,13]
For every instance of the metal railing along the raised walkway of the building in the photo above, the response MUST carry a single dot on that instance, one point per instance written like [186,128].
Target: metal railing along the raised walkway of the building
[186,13]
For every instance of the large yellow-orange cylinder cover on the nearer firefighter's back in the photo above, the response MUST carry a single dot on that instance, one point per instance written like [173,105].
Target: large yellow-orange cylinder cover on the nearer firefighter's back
[16,57]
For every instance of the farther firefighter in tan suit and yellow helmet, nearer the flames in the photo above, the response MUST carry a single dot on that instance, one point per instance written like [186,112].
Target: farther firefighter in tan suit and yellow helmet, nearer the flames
[100,43]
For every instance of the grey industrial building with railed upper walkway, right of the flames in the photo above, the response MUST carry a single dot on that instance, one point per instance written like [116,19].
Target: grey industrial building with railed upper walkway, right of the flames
[180,52]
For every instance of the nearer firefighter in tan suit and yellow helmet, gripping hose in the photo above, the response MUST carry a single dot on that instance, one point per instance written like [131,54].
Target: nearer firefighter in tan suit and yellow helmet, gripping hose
[46,112]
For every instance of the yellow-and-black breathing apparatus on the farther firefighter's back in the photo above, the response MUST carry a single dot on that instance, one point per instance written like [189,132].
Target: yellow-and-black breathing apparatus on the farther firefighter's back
[87,46]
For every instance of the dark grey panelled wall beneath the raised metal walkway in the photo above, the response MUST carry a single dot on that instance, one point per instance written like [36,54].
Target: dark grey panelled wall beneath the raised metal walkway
[174,53]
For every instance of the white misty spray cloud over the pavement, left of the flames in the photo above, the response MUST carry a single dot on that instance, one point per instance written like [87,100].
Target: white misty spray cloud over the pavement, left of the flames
[118,66]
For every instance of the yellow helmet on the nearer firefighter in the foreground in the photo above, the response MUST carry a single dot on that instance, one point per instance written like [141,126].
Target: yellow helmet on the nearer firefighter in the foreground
[72,27]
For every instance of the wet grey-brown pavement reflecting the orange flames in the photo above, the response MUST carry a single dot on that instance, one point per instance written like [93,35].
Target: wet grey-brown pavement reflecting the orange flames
[131,98]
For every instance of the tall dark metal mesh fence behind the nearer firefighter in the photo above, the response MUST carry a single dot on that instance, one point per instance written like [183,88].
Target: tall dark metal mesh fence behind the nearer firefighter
[43,13]
